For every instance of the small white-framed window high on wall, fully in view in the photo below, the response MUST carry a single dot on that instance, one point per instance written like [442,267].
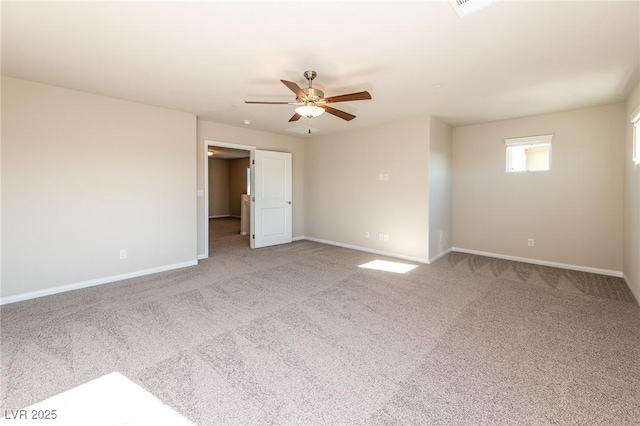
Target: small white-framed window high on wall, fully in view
[529,154]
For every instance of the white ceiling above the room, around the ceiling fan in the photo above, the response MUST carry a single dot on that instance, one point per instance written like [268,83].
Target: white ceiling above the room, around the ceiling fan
[513,59]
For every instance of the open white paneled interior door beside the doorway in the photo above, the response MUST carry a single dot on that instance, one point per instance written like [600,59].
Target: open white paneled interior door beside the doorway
[272,199]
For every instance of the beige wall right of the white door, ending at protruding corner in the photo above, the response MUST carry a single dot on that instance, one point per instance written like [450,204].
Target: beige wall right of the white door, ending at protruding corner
[344,197]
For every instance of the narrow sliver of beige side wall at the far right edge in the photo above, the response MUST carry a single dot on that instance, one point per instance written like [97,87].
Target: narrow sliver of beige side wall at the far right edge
[632,204]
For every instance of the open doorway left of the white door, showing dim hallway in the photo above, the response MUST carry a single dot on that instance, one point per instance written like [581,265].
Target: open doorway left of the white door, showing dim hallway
[228,220]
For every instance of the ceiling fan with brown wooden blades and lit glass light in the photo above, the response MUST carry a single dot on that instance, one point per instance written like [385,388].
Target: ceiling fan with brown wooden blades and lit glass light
[311,101]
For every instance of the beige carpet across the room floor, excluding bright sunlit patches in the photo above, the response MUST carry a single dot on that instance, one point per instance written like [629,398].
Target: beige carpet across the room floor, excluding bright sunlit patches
[299,334]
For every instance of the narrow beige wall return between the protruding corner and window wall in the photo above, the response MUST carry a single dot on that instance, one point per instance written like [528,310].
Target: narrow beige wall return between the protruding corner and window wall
[440,158]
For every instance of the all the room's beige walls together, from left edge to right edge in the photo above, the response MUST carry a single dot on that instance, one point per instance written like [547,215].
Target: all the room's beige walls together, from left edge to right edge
[109,174]
